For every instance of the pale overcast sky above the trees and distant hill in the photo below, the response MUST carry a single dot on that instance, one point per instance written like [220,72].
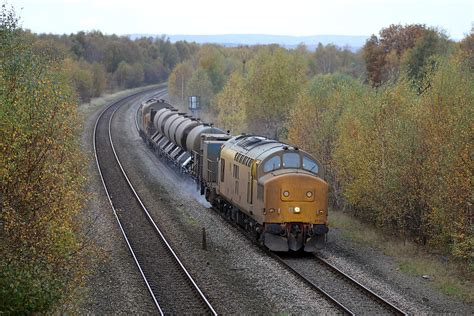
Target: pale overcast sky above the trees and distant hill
[275,17]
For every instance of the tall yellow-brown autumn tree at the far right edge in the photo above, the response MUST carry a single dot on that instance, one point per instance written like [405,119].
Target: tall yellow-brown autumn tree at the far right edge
[445,118]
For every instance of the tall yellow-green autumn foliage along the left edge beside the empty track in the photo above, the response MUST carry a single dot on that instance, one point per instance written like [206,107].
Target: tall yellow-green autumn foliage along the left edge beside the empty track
[42,177]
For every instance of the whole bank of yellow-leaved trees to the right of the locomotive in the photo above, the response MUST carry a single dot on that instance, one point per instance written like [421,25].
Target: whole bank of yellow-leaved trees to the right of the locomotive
[404,160]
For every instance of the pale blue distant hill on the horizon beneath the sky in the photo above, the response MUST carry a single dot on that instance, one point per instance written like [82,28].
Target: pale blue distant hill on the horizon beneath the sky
[231,40]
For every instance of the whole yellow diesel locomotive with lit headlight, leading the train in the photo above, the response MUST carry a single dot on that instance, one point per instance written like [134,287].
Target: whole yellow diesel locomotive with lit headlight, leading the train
[276,191]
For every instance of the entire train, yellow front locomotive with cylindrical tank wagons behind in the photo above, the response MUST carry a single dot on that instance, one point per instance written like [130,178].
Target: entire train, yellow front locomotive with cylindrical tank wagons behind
[274,191]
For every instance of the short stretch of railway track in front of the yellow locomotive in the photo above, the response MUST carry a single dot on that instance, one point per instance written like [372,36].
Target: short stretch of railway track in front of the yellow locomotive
[352,297]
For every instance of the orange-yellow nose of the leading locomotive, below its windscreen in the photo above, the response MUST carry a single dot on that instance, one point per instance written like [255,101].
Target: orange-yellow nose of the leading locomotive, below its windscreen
[295,210]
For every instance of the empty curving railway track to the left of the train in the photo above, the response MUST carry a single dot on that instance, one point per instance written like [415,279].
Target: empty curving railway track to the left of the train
[170,285]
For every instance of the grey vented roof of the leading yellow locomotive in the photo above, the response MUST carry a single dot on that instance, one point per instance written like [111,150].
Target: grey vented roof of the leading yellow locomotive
[255,147]
